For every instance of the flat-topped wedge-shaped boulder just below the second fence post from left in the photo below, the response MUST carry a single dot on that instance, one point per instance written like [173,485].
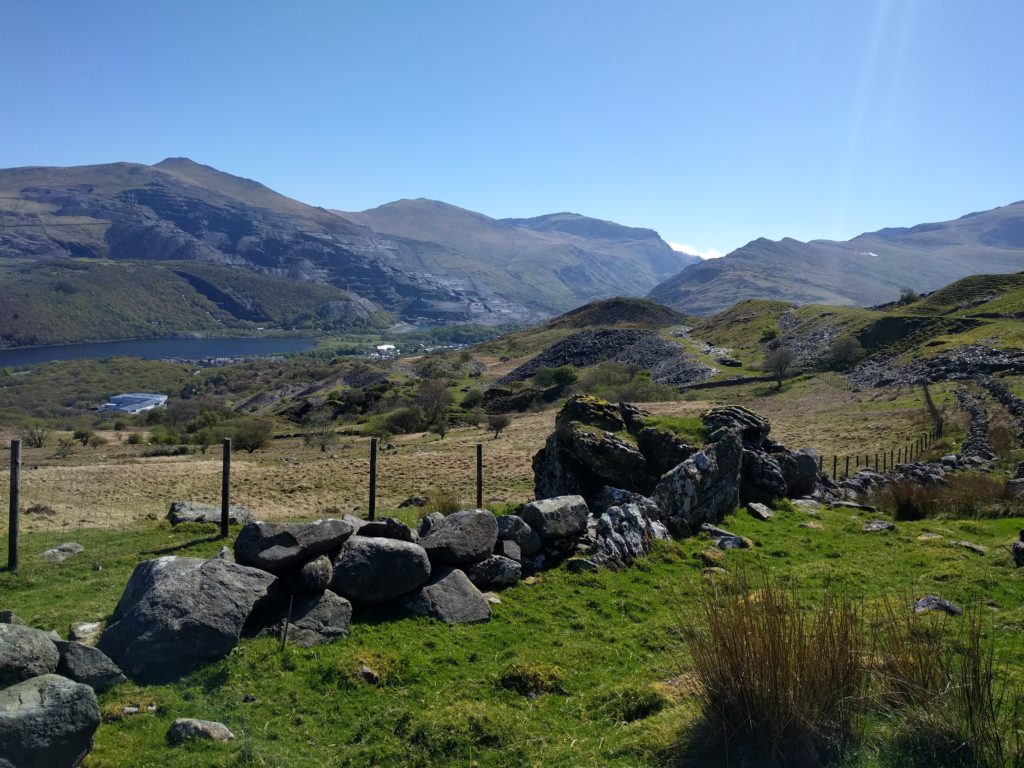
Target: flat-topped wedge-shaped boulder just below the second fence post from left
[280,547]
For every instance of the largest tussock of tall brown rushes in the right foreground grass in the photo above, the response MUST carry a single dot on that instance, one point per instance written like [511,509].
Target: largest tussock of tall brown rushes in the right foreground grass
[777,679]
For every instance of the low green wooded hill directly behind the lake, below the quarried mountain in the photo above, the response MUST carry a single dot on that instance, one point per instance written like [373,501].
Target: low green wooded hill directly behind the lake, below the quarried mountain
[77,301]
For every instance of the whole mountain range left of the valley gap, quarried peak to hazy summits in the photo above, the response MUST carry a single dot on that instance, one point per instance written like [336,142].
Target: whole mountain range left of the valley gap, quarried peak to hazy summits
[425,262]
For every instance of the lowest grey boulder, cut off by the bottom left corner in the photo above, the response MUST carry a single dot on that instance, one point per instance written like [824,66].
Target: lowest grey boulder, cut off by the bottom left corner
[47,722]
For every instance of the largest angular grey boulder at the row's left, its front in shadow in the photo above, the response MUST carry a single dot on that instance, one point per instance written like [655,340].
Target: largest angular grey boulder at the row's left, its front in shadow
[178,613]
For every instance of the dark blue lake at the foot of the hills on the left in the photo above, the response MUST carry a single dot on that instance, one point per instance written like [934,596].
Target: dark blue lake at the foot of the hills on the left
[157,350]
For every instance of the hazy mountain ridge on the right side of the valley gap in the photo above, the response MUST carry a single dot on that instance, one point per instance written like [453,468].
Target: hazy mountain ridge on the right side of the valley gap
[868,270]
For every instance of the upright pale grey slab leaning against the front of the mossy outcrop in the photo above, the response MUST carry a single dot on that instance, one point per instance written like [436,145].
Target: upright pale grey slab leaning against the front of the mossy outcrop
[703,489]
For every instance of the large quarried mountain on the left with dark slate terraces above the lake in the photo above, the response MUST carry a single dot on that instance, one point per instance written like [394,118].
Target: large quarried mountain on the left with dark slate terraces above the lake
[180,210]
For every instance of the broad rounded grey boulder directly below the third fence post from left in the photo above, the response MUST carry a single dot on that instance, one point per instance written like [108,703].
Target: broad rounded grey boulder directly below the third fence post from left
[375,571]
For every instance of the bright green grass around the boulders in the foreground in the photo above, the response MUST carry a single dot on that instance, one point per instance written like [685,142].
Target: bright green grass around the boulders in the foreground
[607,647]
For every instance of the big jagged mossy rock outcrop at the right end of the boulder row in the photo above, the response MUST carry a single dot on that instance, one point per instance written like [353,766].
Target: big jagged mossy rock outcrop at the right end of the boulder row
[598,446]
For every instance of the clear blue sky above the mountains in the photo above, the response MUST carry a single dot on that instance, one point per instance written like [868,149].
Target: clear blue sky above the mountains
[712,122]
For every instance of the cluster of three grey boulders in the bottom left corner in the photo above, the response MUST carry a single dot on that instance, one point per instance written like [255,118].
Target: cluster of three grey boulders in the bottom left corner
[49,707]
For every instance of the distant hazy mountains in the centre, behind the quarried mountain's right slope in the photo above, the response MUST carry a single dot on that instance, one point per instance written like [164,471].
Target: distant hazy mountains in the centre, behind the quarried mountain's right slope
[552,263]
